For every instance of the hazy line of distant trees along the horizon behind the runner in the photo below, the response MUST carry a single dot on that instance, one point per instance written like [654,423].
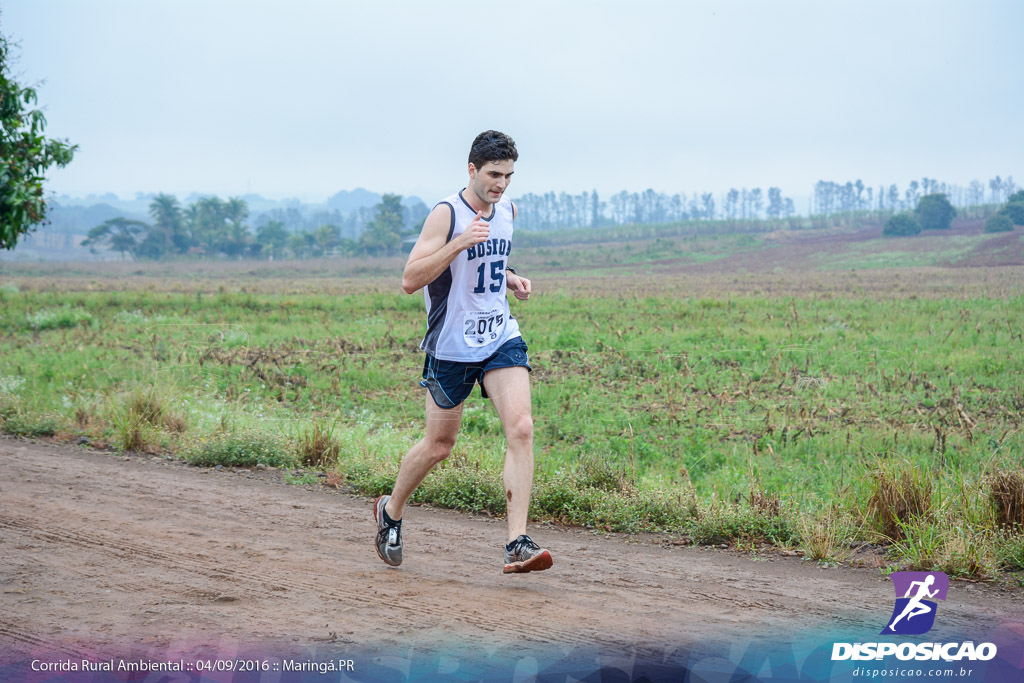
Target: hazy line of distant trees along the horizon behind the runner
[211,227]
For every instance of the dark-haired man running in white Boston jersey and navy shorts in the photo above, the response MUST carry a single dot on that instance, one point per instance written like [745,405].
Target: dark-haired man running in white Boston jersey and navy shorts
[461,262]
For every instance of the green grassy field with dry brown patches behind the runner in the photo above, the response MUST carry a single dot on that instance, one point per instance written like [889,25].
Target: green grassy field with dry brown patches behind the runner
[803,409]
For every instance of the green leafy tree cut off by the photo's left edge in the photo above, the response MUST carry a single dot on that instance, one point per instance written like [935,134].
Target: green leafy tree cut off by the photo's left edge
[26,155]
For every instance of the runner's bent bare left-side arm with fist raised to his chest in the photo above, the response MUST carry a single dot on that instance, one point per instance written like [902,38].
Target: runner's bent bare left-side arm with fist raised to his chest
[433,253]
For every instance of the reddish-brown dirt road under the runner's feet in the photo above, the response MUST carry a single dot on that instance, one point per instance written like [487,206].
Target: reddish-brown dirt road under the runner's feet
[103,552]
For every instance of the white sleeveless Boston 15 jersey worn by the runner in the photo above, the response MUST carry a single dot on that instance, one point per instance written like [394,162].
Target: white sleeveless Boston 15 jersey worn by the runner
[467,313]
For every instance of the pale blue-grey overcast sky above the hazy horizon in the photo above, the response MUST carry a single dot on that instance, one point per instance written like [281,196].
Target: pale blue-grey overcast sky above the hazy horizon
[306,99]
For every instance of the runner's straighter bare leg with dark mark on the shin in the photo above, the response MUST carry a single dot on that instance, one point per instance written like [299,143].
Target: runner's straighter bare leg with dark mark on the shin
[508,390]
